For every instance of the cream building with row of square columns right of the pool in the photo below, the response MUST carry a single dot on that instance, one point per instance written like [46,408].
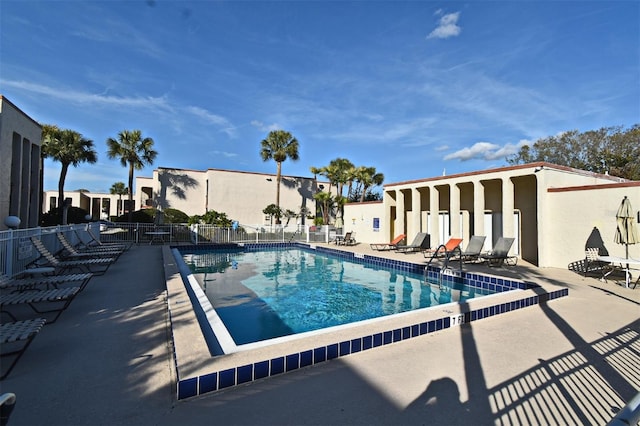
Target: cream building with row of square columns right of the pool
[553,212]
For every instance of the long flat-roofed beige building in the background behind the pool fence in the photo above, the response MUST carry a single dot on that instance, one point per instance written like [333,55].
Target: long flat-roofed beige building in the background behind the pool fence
[241,195]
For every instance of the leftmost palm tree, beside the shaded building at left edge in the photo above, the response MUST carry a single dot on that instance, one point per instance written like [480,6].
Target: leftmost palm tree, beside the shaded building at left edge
[69,148]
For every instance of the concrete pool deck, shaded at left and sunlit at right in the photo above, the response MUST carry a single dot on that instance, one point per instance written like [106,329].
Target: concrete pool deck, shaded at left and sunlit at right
[108,360]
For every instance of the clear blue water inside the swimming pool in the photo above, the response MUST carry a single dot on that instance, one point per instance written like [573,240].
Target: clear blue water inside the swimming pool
[261,295]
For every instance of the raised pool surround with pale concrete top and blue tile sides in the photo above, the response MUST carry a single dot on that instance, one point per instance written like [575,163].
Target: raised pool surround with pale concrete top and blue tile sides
[199,373]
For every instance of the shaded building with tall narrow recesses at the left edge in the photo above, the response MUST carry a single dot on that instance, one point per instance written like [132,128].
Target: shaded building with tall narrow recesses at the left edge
[20,165]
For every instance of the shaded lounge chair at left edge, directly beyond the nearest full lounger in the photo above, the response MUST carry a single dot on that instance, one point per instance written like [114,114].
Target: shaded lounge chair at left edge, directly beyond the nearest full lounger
[33,298]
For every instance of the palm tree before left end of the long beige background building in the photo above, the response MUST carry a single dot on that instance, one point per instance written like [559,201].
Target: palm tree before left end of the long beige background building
[133,151]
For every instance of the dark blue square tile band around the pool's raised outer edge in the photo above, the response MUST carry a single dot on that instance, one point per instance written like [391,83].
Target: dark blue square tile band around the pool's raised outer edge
[218,380]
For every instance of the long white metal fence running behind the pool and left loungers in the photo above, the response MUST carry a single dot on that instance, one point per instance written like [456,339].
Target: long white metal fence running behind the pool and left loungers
[17,251]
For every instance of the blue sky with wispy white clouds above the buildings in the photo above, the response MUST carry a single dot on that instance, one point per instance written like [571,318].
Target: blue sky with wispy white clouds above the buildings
[413,88]
